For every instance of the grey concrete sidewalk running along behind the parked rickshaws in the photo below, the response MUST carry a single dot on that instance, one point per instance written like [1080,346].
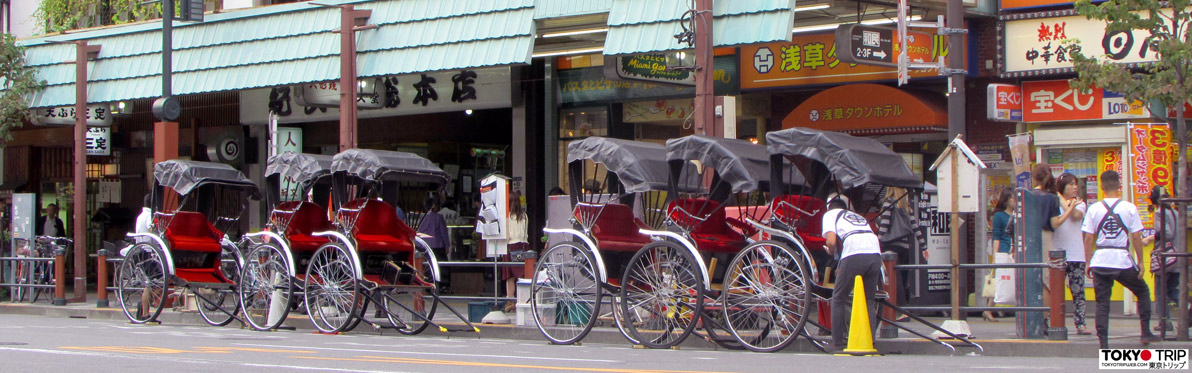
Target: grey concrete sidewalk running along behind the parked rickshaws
[998,339]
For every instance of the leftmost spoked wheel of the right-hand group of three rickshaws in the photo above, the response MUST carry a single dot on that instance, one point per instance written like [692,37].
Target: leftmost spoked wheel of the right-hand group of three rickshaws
[566,294]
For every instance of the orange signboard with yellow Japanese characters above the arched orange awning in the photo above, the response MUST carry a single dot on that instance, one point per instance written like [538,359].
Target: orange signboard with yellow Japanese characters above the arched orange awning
[810,59]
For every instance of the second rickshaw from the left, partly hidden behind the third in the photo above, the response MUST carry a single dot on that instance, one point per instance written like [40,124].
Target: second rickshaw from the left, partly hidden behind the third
[276,264]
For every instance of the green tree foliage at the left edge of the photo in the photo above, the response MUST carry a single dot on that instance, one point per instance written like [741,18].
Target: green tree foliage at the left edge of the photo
[20,84]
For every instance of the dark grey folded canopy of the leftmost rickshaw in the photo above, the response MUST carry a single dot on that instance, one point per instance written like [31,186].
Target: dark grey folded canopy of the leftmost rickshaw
[187,176]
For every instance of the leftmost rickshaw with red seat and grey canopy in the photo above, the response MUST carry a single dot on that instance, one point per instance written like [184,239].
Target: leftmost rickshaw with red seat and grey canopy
[194,206]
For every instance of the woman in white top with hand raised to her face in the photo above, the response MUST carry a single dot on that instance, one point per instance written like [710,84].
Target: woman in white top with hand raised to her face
[1069,239]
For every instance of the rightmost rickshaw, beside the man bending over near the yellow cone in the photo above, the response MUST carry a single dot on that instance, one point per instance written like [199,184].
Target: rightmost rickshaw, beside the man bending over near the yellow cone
[858,167]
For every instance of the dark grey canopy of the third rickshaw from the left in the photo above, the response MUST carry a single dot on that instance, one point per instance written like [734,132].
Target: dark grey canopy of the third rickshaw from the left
[375,165]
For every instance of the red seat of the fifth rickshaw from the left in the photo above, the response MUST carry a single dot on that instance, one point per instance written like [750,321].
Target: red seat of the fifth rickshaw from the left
[713,234]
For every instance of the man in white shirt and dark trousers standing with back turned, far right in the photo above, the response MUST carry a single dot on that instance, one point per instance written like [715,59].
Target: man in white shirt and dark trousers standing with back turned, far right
[1112,227]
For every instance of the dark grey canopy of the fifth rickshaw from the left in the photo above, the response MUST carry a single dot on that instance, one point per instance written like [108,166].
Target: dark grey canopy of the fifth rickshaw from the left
[746,166]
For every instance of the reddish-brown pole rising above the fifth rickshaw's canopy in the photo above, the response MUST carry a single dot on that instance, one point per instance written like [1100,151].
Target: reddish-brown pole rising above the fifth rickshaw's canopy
[705,122]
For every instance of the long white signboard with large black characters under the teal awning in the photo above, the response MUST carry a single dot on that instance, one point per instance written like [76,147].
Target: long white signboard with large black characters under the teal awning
[405,95]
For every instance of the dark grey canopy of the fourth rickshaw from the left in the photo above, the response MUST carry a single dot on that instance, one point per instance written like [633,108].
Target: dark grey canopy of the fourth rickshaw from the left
[640,166]
